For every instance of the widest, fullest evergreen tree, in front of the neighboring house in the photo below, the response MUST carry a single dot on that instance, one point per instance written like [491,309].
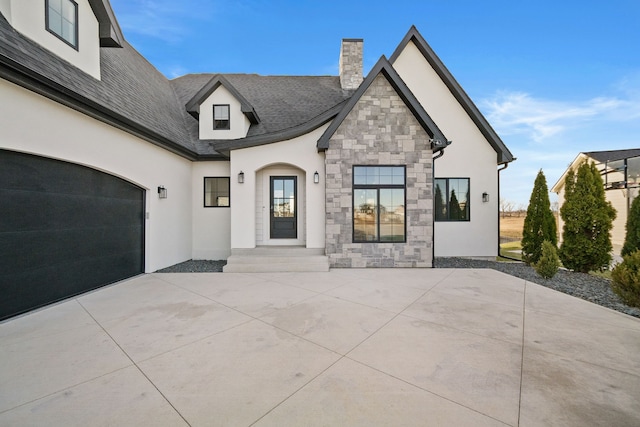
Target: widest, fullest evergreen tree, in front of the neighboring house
[588,217]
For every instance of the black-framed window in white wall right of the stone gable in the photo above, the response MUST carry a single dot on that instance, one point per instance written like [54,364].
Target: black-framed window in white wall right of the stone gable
[452,199]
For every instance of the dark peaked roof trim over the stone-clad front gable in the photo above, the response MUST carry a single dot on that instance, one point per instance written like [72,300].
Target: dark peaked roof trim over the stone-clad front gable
[384,67]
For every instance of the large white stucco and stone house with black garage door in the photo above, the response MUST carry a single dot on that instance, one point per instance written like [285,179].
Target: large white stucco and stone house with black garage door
[108,169]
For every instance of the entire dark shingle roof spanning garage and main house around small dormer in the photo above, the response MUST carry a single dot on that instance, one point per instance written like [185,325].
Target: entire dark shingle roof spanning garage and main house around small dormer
[134,96]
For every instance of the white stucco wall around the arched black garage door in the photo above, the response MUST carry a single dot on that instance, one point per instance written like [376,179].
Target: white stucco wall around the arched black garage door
[33,124]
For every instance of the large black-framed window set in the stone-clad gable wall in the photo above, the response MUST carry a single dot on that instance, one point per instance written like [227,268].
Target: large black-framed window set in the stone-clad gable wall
[379,199]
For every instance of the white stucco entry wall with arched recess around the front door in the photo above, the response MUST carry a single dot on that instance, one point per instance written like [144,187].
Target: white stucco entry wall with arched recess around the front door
[296,156]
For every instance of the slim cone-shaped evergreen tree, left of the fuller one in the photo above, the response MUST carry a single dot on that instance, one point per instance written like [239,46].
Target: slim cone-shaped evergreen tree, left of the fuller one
[539,224]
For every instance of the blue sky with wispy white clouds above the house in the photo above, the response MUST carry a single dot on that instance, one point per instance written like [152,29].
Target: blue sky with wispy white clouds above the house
[553,77]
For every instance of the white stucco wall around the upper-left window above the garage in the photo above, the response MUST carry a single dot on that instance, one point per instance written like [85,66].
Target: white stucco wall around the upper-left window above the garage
[28,17]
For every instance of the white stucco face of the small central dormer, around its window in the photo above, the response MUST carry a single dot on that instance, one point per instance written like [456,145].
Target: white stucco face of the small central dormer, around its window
[238,121]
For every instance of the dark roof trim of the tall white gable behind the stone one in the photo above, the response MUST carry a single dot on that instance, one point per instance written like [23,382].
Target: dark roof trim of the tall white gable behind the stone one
[504,155]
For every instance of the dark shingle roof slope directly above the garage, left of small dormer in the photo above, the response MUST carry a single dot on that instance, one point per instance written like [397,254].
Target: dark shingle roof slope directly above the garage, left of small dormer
[131,94]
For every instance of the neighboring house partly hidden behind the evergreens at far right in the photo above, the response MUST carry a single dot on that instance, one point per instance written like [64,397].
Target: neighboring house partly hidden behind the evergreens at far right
[620,170]
